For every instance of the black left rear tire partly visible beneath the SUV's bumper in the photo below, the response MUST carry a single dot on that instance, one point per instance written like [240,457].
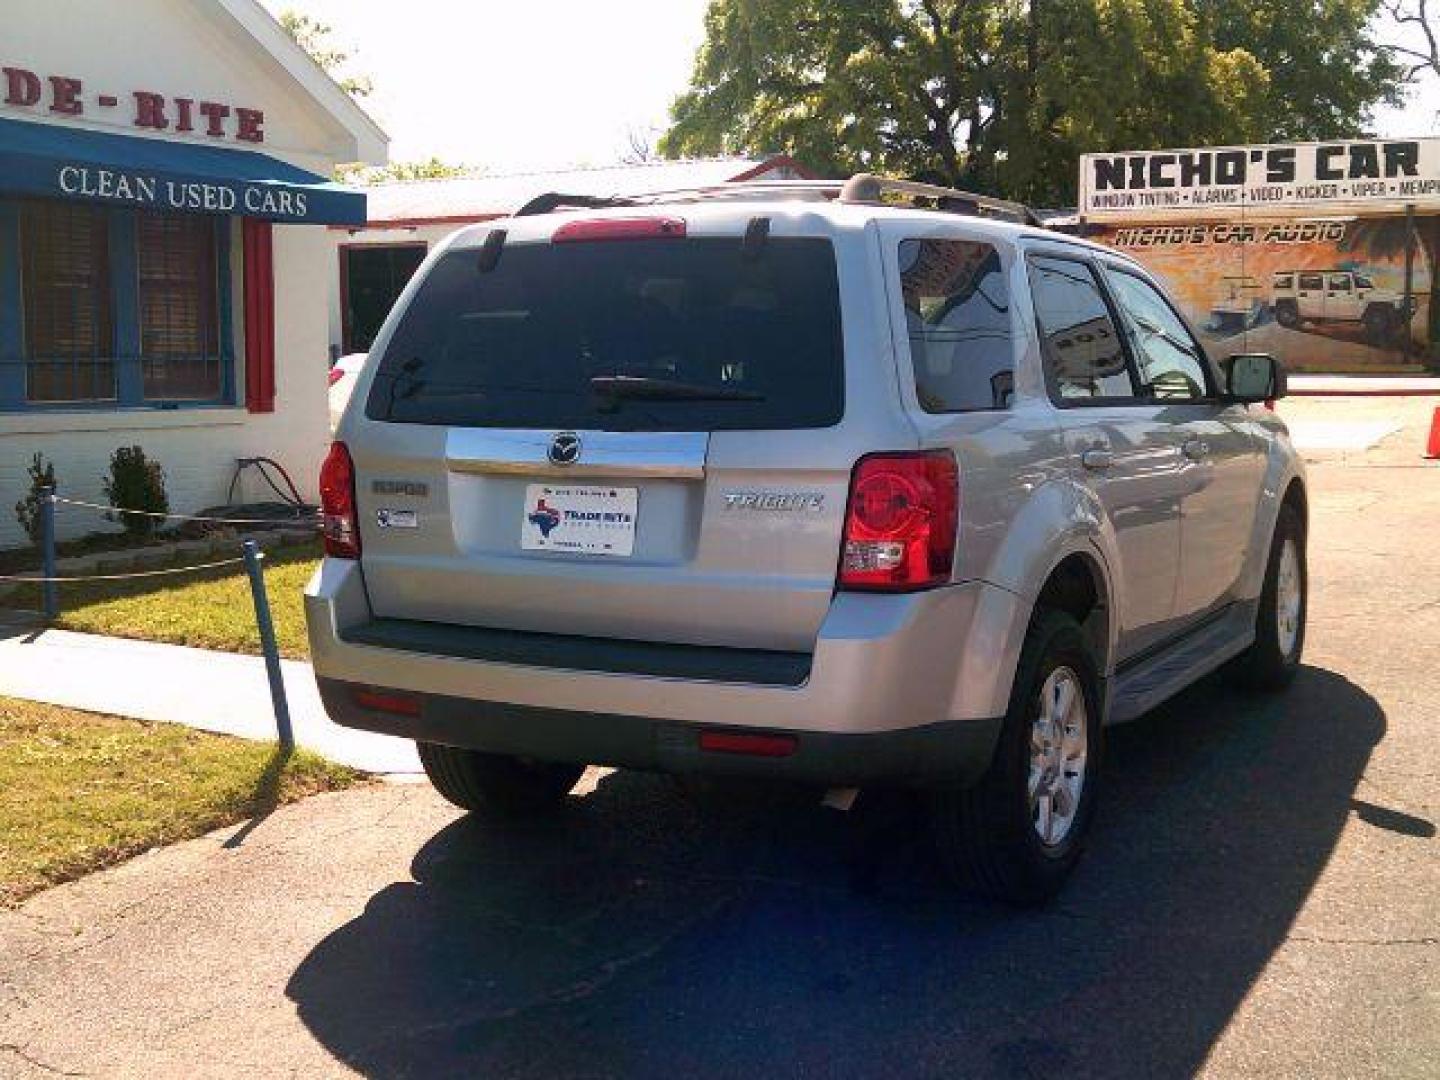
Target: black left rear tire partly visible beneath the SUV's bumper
[496,786]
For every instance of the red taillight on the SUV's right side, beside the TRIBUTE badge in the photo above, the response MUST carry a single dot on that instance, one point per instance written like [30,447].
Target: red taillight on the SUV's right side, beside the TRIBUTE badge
[902,522]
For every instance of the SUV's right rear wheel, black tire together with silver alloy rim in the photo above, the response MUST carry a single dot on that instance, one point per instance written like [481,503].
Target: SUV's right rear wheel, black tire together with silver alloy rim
[1019,833]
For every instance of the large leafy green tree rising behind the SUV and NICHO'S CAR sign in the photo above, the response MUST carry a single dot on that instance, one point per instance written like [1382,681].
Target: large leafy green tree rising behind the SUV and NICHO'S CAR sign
[1003,97]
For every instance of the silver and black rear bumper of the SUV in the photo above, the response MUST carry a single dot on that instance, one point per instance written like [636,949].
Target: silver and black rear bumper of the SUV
[896,688]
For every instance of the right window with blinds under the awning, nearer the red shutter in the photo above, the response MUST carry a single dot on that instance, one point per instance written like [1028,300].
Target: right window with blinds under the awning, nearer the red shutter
[179,319]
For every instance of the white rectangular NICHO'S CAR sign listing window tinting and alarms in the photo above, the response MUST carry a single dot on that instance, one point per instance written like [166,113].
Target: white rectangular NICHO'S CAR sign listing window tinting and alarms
[1344,178]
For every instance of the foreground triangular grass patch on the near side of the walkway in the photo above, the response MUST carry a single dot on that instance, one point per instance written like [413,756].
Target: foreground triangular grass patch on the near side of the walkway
[81,791]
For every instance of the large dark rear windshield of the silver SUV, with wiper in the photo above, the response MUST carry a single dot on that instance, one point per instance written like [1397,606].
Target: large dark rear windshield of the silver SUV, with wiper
[639,335]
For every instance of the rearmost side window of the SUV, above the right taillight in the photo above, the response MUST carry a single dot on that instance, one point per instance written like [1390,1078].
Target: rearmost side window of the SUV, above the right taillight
[957,307]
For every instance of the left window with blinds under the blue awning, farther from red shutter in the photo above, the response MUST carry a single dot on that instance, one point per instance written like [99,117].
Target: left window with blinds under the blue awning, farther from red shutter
[70,330]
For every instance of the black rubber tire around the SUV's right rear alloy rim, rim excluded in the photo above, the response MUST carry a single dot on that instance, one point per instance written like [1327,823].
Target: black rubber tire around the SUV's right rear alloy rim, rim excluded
[986,834]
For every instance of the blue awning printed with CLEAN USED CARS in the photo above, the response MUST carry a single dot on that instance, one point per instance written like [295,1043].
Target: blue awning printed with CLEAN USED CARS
[125,171]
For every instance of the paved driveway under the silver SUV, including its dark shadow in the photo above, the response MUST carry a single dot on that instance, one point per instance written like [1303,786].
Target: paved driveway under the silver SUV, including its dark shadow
[1262,899]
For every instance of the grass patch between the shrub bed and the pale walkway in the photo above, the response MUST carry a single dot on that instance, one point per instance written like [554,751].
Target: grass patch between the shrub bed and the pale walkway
[211,610]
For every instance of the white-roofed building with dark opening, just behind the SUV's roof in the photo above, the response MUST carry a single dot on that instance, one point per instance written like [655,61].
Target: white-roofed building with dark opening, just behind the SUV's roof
[407,220]
